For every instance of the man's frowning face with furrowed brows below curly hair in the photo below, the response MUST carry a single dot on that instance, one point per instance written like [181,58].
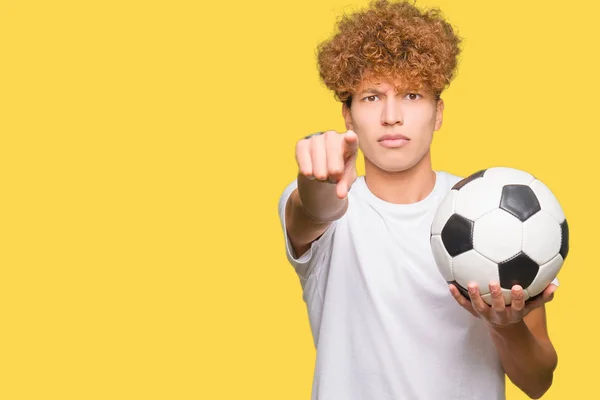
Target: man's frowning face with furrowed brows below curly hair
[394,127]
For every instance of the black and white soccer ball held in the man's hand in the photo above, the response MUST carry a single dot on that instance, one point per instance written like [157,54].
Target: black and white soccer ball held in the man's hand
[500,224]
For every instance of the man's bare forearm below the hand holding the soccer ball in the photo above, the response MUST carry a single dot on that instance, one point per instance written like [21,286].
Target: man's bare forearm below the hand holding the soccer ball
[529,362]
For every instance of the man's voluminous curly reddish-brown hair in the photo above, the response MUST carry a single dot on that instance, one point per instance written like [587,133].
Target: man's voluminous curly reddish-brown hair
[389,41]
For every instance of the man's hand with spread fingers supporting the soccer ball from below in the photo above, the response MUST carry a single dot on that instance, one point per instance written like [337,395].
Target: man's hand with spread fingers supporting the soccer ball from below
[498,314]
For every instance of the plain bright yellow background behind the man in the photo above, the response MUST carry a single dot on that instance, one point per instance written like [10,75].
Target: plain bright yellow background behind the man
[144,146]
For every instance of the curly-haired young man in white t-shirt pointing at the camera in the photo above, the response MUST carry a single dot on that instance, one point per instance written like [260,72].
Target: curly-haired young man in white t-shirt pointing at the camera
[385,323]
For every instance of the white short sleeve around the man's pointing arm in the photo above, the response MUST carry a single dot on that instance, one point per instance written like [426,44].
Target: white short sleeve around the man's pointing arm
[305,263]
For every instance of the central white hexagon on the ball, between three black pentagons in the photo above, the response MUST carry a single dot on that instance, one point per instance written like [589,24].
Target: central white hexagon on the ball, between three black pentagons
[498,235]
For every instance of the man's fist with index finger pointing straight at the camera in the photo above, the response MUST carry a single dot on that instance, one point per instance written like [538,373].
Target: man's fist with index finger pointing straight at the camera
[329,157]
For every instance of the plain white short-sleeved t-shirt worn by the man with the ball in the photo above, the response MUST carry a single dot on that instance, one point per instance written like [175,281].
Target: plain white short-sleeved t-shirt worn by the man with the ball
[384,323]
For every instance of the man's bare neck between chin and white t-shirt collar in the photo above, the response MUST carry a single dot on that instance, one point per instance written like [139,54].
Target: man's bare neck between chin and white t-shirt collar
[404,187]
